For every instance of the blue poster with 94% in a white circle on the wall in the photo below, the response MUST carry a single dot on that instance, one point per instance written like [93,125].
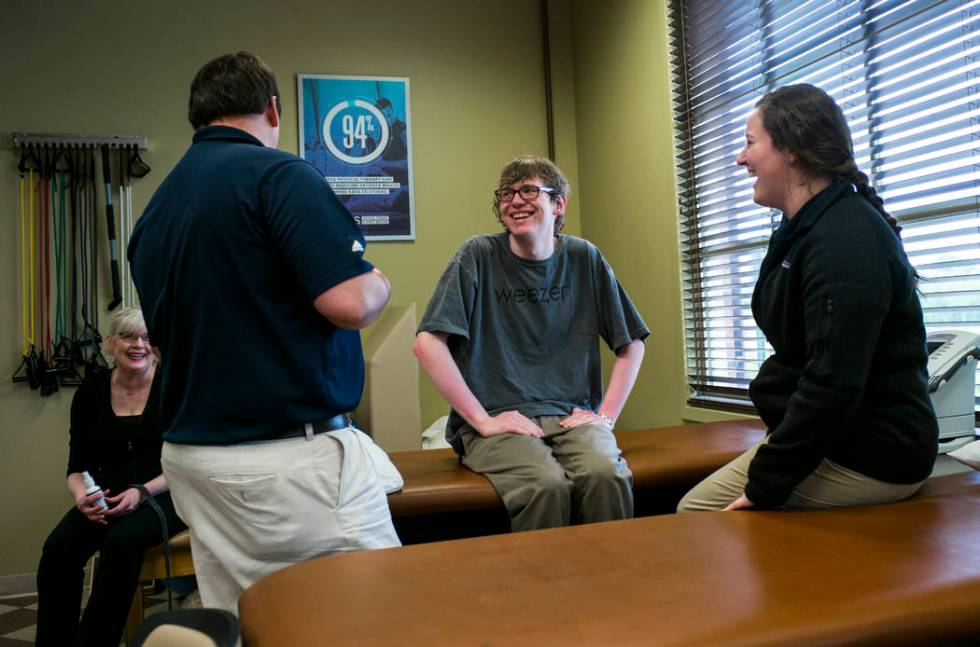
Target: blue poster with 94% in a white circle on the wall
[356,132]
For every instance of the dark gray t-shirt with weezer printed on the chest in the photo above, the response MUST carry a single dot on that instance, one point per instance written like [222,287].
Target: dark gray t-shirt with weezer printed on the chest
[525,334]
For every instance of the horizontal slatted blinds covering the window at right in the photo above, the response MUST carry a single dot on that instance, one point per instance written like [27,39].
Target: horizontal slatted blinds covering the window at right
[906,75]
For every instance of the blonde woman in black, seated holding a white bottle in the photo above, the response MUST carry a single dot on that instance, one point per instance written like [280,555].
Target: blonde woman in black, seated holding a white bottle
[116,436]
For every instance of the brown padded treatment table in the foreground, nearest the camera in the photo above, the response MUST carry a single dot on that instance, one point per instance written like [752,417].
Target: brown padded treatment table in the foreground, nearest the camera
[907,573]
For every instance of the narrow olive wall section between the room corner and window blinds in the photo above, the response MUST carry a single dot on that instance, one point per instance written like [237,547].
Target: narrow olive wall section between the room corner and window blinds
[626,193]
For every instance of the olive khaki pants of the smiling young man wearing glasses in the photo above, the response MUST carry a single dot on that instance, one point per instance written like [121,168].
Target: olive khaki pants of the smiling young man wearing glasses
[569,476]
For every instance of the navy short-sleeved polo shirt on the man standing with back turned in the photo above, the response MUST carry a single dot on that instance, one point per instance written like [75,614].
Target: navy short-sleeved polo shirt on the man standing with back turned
[228,258]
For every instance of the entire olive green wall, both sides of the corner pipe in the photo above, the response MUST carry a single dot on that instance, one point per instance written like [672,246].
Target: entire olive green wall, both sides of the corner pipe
[476,71]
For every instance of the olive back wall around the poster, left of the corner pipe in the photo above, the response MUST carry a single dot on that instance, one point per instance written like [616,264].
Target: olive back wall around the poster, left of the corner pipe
[476,75]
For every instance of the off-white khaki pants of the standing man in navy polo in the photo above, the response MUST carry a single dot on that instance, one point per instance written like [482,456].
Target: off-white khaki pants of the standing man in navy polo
[258,507]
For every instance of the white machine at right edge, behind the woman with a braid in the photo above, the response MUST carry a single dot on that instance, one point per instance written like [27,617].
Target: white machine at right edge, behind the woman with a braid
[952,382]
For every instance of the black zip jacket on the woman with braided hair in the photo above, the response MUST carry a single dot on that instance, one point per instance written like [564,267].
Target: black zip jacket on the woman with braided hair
[836,299]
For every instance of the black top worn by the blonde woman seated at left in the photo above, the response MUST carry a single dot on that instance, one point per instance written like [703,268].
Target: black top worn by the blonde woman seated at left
[116,450]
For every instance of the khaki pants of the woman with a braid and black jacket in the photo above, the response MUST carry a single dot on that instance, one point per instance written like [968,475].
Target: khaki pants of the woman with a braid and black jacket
[829,486]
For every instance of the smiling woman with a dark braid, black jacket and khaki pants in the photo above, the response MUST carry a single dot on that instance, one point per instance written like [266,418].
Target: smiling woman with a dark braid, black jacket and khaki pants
[844,394]
